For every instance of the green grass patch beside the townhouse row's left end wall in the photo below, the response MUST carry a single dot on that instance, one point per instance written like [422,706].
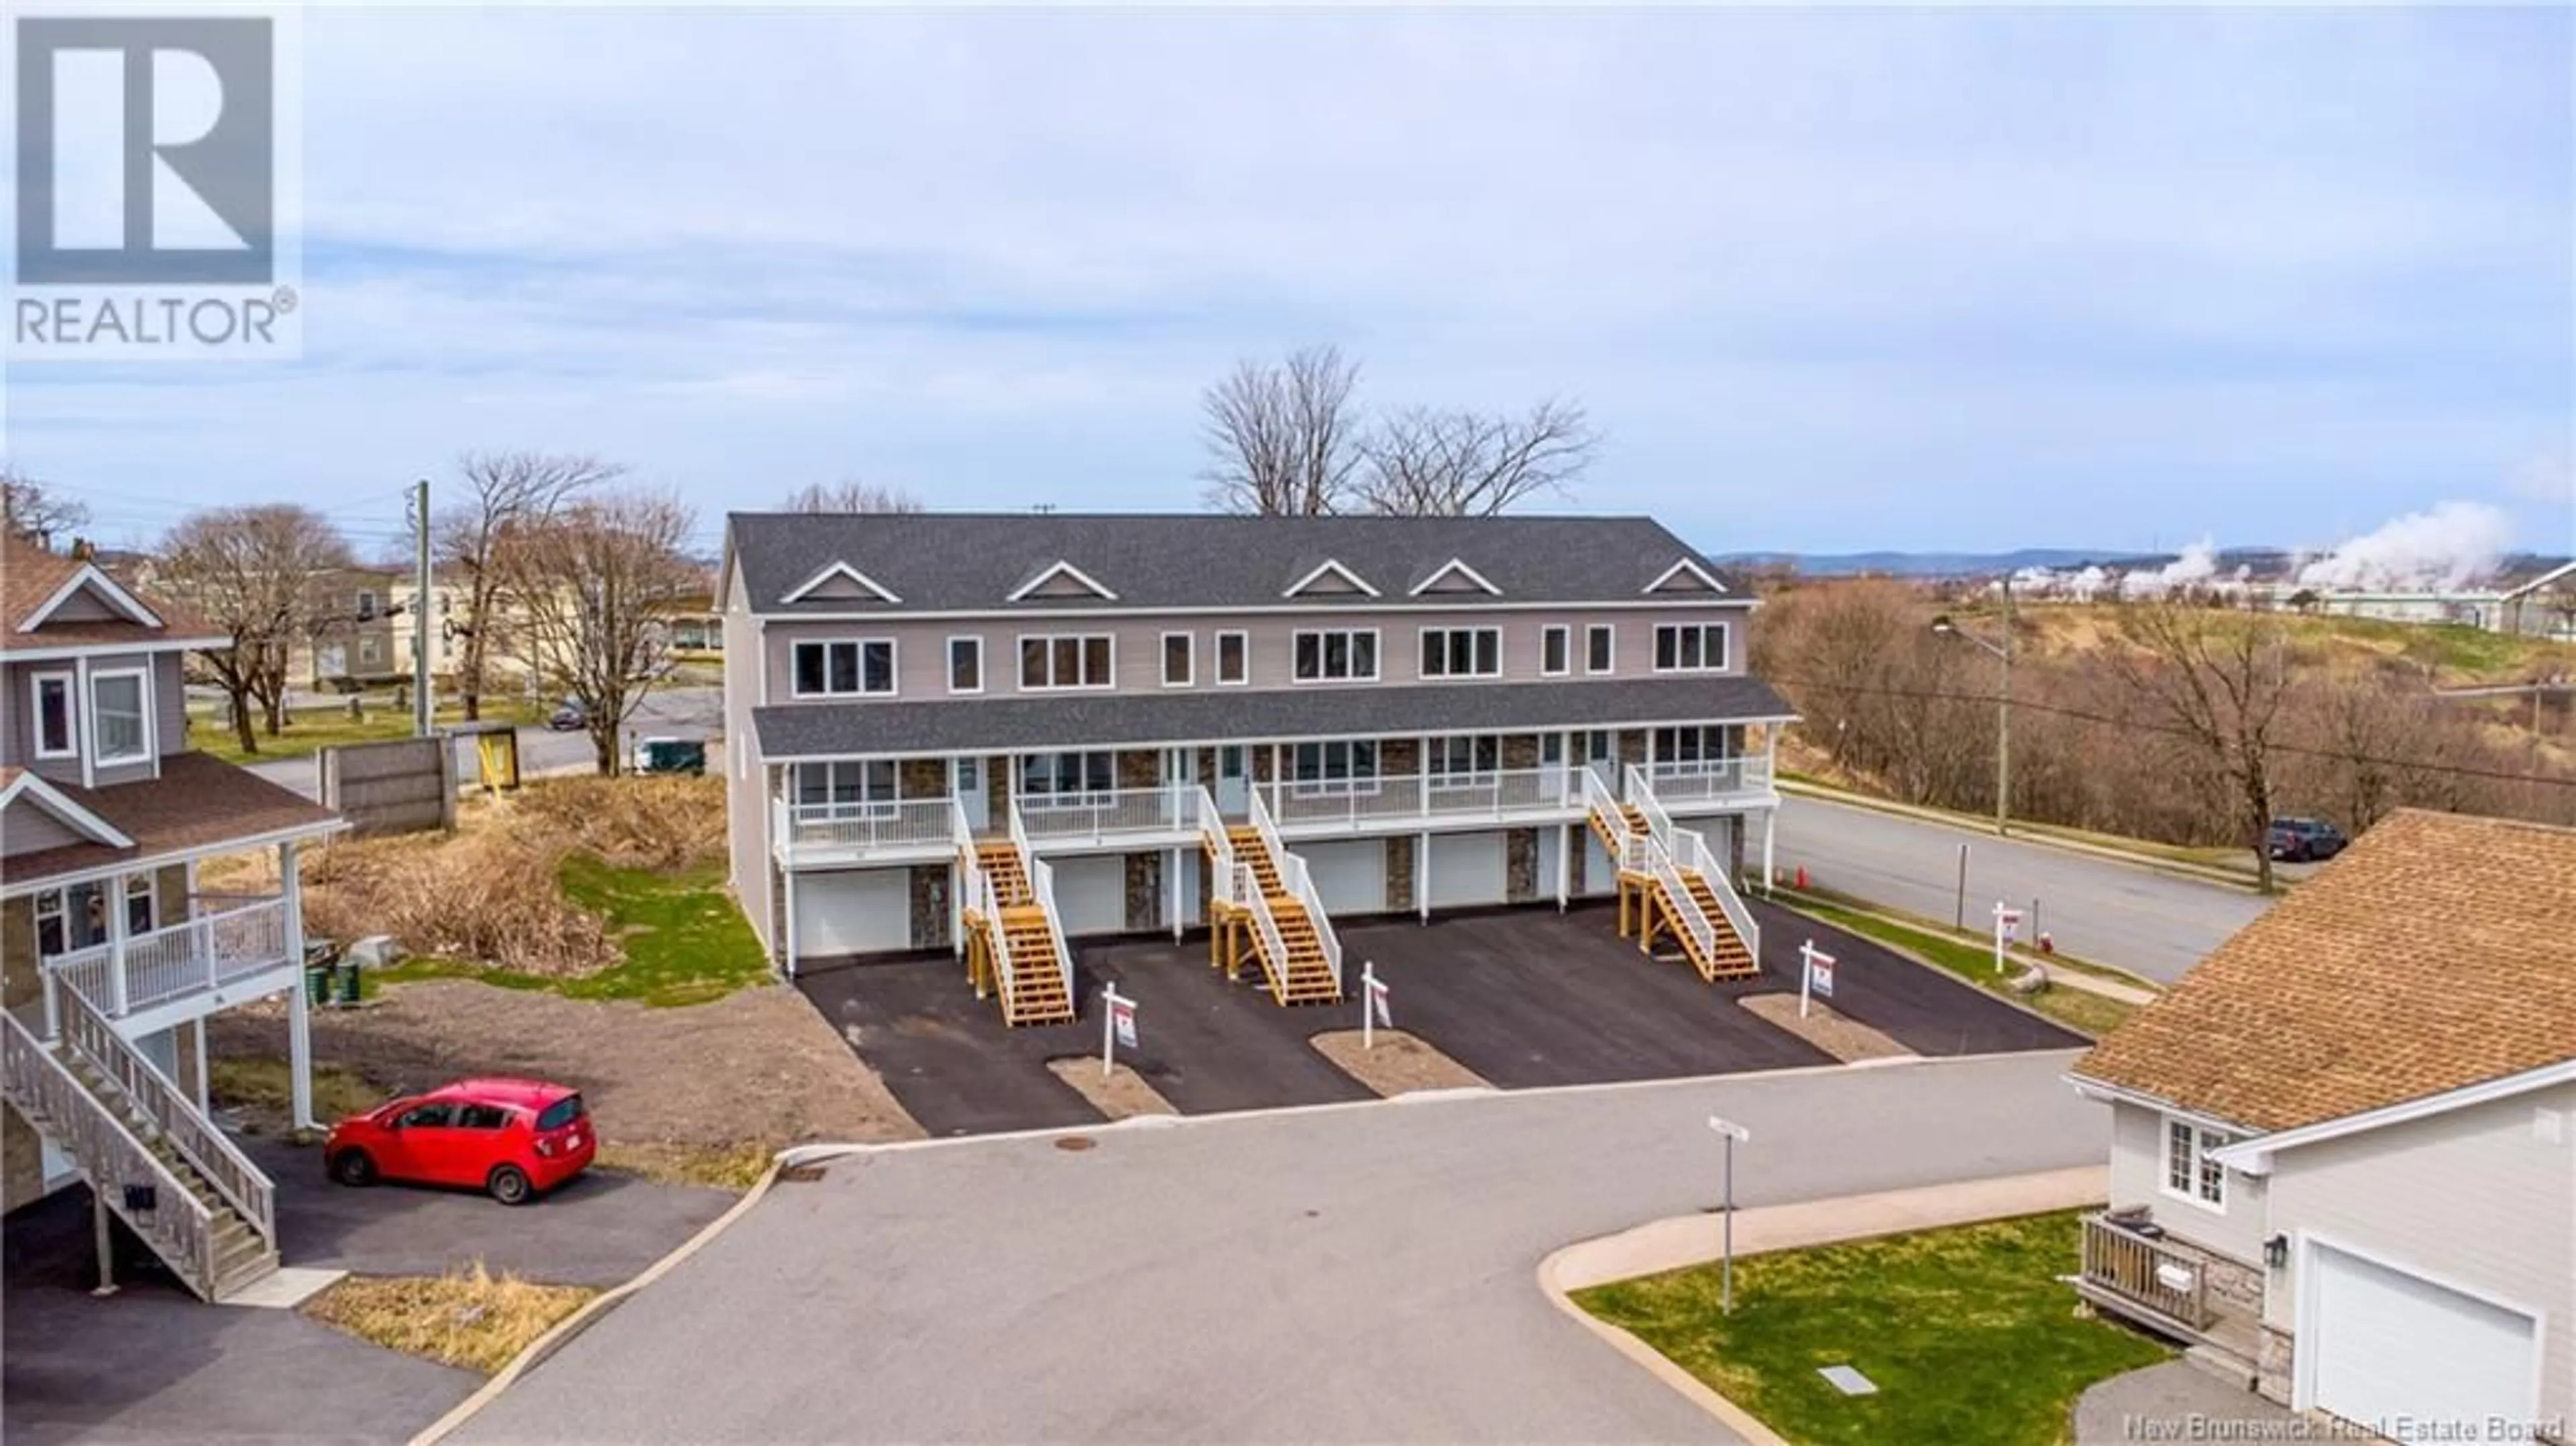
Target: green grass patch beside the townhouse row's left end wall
[684,940]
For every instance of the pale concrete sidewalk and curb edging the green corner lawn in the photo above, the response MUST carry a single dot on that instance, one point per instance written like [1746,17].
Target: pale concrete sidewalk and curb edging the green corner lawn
[1699,1239]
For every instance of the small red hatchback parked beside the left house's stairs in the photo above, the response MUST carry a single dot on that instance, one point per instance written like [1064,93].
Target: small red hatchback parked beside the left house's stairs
[511,1138]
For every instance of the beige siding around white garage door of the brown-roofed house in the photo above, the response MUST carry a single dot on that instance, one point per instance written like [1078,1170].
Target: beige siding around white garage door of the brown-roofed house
[2477,1200]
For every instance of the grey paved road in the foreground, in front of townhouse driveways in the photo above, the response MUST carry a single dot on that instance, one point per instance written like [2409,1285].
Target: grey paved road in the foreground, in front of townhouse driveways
[1343,1275]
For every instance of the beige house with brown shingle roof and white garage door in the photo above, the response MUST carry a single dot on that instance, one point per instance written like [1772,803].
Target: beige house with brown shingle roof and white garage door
[2345,1143]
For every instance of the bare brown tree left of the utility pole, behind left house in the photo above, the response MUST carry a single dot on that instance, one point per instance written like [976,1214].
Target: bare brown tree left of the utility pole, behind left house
[249,571]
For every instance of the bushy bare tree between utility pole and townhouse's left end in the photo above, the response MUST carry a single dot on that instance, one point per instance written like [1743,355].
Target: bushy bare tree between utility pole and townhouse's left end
[596,584]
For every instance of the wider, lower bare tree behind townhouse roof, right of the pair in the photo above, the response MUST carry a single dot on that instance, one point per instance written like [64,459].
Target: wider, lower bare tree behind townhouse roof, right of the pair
[1472,465]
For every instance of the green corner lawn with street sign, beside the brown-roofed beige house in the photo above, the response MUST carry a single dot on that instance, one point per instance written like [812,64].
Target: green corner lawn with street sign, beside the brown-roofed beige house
[1967,1334]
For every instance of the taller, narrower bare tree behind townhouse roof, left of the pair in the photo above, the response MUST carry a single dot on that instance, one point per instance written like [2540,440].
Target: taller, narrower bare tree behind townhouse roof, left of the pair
[1284,437]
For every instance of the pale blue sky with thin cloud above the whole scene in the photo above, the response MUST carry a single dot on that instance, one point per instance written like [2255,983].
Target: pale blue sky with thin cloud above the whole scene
[1828,280]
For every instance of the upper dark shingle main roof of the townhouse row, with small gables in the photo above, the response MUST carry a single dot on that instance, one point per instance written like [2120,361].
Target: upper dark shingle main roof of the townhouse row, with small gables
[1184,561]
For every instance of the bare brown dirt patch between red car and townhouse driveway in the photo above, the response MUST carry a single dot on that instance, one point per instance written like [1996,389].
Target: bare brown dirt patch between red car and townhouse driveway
[751,1068]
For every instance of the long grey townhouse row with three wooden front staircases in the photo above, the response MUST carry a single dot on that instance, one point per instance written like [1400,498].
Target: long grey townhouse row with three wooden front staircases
[998,733]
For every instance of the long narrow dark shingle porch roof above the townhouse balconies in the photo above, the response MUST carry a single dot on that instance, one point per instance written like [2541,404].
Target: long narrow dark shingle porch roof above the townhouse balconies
[1096,720]
